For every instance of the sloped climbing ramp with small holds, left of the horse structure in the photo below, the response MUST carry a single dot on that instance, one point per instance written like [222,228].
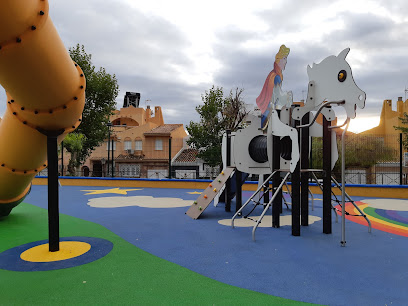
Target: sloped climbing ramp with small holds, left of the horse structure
[209,193]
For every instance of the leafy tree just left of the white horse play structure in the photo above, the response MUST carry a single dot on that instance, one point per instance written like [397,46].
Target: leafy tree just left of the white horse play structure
[217,114]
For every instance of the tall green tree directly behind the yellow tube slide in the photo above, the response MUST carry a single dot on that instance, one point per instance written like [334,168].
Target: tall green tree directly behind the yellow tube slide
[101,92]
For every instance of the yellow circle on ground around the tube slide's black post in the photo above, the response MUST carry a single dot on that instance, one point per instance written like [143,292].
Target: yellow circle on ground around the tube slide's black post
[68,250]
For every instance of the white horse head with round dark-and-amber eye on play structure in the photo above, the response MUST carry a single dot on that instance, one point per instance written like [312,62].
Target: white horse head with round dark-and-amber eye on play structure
[332,80]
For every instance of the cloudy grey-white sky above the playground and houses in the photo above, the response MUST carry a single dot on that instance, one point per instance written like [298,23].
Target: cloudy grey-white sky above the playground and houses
[171,52]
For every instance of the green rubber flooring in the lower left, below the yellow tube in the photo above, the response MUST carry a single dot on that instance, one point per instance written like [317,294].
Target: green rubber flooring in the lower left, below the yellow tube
[127,275]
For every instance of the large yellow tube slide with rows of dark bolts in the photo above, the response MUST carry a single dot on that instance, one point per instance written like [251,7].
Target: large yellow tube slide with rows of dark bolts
[45,90]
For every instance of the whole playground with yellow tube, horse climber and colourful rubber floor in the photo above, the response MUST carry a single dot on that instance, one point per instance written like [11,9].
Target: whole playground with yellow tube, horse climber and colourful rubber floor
[133,241]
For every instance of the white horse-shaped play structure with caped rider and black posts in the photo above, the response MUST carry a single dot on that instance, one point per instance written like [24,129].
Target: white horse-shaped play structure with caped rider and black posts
[275,144]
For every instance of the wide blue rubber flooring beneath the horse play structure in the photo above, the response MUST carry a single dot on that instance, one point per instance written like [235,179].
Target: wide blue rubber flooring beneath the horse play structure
[371,270]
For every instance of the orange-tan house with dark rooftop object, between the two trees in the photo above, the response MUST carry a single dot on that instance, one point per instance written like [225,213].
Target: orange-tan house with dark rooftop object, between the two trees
[141,144]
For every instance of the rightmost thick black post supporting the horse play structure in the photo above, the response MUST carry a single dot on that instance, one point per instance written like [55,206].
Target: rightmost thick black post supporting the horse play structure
[327,139]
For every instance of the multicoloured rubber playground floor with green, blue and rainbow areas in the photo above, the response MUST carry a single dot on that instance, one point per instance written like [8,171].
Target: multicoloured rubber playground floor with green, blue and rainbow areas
[162,256]
